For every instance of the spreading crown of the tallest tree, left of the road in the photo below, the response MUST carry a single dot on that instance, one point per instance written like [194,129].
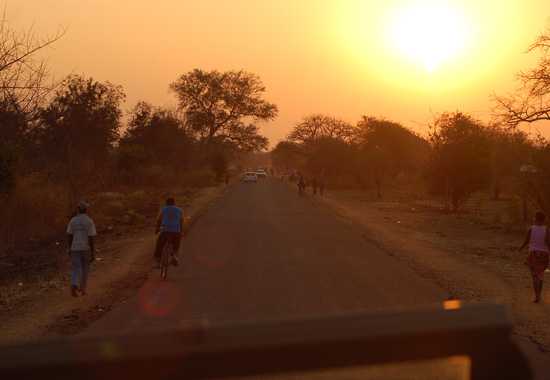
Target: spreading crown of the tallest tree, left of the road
[225,106]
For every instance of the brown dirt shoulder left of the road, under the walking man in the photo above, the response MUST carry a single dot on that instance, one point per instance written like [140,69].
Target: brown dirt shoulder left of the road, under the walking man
[123,264]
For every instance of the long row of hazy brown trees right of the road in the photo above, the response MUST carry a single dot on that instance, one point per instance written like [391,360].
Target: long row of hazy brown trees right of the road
[459,156]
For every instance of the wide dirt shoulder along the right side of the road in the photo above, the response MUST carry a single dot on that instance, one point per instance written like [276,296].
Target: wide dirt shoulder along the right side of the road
[474,261]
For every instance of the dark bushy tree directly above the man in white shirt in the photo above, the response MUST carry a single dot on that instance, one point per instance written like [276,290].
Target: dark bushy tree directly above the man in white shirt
[79,128]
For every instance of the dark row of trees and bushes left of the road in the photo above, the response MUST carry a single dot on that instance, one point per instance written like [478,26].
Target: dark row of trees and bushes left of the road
[77,143]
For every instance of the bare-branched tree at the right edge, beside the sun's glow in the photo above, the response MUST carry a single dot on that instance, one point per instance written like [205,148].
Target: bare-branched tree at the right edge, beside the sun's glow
[531,103]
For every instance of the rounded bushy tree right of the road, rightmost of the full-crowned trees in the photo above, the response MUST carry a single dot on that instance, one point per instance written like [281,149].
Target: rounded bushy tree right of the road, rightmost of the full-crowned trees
[460,160]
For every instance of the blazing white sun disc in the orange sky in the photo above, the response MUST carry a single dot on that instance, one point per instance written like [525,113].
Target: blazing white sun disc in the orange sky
[429,35]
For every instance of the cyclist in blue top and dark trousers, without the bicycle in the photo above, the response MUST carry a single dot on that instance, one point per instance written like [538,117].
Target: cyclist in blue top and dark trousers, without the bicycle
[169,225]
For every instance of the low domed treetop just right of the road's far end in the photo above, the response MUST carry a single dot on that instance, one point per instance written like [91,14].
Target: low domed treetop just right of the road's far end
[318,126]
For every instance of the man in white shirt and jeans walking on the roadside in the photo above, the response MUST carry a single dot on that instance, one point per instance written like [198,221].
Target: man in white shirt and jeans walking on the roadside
[80,232]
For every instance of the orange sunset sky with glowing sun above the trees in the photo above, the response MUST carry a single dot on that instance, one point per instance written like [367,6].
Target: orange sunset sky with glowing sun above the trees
[403,59]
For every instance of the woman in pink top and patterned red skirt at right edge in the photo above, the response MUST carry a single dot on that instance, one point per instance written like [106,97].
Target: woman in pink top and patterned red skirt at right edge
[538,240]
